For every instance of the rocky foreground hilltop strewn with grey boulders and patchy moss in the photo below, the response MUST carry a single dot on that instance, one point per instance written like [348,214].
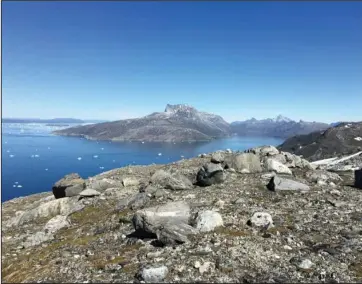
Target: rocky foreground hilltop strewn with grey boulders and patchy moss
[258,216]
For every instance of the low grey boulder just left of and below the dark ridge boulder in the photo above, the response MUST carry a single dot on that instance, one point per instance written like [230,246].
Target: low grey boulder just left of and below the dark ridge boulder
[173,181]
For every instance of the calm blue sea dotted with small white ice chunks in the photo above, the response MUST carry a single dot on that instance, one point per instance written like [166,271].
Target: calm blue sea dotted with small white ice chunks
[33,159]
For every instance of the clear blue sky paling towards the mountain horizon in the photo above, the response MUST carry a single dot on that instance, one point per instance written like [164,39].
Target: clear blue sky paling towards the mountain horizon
[115,60]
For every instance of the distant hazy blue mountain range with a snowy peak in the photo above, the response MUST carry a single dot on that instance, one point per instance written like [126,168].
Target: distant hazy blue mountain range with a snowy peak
[281,127]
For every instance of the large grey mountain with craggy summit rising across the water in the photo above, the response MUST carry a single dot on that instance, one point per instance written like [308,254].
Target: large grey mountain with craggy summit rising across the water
[176,123]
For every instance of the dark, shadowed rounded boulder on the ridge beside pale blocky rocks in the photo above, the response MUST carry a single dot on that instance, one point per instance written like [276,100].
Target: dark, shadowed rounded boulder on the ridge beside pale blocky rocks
[210,174]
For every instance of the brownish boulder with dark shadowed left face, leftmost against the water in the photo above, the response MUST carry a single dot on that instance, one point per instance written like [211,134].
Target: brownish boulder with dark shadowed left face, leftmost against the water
[70,185]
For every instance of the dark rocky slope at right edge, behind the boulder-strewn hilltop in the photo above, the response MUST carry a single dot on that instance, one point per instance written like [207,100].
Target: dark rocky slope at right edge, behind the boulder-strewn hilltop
[343,139]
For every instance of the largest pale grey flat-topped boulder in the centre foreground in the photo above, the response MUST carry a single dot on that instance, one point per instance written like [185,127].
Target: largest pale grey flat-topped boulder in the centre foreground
[150,219]
